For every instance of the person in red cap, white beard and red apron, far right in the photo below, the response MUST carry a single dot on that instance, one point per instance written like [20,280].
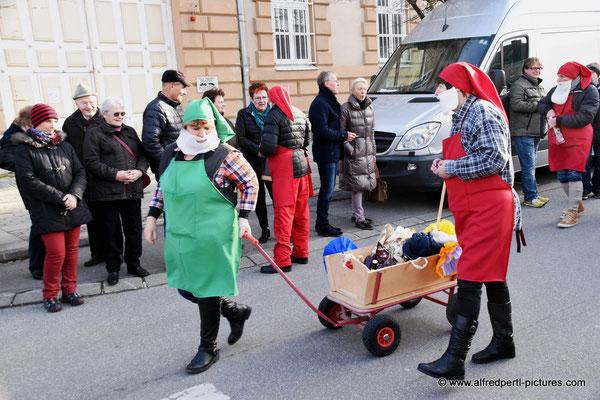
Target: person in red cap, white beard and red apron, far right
[570,108]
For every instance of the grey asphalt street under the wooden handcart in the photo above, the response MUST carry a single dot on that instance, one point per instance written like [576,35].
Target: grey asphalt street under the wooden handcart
[136,344]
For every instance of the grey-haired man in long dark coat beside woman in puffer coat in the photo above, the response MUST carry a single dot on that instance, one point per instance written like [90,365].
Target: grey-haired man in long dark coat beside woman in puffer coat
[328,140]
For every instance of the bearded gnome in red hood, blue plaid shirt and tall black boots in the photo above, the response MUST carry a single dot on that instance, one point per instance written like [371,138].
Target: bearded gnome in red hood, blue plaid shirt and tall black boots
[478,172]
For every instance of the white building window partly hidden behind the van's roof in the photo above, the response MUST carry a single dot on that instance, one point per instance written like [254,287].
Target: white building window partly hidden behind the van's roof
[391,26]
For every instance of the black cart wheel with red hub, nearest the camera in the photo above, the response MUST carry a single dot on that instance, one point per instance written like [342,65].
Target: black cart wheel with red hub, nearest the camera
[381,335]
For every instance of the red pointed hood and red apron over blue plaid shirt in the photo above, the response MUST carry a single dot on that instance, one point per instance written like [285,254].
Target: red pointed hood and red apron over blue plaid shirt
[483,208]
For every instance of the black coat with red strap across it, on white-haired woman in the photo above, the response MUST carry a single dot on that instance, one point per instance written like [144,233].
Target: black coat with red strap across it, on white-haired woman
[104,156]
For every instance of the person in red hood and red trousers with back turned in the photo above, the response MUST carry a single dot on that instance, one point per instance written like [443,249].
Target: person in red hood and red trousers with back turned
[284,141]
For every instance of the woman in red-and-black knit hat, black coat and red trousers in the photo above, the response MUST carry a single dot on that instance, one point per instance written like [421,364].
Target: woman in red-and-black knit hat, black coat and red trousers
[52,181]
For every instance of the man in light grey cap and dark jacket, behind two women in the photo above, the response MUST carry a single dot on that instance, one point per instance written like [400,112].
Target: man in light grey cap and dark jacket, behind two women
[75,126]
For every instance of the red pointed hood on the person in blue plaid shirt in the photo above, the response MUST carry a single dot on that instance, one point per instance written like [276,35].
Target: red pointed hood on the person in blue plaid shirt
[471,79]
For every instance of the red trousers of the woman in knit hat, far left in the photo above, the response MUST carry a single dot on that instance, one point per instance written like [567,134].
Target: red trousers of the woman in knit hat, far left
[62,250]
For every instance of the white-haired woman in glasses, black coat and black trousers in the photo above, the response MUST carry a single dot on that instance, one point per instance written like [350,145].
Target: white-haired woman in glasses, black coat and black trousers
[116,163]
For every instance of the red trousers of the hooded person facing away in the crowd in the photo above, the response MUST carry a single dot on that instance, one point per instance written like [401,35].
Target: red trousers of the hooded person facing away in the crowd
[292,220]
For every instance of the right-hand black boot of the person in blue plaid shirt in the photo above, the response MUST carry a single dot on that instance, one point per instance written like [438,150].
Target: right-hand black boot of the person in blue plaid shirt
[502,344]
